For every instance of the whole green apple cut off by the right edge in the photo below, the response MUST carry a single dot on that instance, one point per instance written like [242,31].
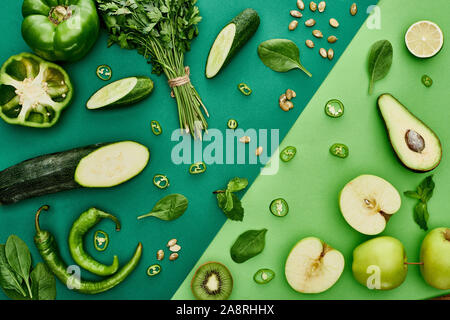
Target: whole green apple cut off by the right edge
[435,255]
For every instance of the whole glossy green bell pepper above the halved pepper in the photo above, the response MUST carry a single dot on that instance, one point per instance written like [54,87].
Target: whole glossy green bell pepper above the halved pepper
[60,30]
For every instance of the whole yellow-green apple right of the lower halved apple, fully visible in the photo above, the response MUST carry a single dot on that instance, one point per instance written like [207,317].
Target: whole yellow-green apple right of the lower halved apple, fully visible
[380,263]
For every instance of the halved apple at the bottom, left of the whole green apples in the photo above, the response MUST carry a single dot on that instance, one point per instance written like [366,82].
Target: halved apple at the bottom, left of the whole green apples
[313,266]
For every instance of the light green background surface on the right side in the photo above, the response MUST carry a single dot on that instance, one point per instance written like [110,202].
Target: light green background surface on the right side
[311,182]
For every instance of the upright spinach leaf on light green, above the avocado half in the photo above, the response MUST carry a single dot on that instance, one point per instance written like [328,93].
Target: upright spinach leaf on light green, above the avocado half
[380,61]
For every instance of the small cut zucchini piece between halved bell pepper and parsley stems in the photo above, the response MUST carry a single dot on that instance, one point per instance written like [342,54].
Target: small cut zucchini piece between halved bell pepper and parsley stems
[121,92]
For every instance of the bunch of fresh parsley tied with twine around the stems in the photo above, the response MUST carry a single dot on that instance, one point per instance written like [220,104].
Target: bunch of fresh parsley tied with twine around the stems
[162,31]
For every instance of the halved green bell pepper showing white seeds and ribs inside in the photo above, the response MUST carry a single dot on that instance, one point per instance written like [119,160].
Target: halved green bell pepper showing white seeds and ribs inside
[33,92]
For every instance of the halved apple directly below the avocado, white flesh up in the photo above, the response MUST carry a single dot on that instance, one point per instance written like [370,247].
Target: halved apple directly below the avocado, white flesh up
[367,202]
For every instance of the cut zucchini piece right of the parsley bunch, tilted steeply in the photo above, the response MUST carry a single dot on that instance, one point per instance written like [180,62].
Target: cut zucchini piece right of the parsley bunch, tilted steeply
[230,40]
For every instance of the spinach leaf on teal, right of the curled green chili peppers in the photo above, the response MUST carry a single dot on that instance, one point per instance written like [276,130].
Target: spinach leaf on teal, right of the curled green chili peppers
[168,208]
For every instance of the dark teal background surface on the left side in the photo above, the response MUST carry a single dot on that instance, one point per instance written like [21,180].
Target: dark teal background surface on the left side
[78,127]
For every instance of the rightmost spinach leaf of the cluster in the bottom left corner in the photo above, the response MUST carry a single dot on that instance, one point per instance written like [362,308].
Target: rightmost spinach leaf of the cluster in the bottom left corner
[43,283]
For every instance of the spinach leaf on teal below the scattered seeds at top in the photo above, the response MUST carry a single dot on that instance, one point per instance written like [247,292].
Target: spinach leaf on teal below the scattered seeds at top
[281,55]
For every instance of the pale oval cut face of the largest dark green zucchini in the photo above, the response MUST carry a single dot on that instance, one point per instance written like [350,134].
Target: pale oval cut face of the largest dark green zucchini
[112,165]
